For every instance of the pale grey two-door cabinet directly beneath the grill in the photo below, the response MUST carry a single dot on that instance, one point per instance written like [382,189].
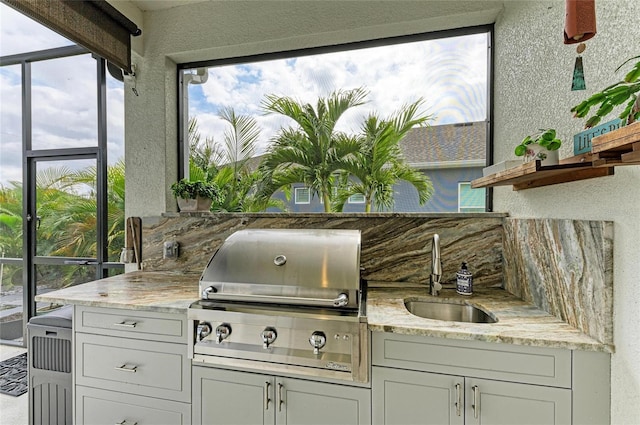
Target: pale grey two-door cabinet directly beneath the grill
[232,397]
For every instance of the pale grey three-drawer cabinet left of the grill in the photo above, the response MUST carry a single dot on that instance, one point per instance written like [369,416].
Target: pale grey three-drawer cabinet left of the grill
[131,367]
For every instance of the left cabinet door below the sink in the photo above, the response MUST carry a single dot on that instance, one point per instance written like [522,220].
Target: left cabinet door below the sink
[408,397]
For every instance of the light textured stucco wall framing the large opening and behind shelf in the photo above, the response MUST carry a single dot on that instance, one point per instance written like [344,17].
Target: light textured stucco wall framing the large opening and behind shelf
[532,80]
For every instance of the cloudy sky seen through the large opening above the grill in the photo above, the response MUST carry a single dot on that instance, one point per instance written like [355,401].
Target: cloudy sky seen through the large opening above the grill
[450,75]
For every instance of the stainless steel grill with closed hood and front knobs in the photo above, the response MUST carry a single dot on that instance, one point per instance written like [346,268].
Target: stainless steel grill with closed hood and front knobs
[284,301]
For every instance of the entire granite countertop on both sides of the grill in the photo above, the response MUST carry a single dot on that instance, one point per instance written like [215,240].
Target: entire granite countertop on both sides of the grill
[518,322]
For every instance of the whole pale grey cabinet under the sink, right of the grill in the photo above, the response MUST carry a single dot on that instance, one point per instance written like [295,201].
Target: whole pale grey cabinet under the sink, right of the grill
[421,380]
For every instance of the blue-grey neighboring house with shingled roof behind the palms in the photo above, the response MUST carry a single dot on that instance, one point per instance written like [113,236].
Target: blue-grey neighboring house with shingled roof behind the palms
[450,155]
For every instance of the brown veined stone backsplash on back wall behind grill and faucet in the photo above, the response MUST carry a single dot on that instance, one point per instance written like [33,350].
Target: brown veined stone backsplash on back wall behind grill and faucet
[395,247]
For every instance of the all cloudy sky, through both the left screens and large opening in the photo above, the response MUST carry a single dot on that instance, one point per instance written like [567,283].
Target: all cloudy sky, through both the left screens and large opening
[450,75]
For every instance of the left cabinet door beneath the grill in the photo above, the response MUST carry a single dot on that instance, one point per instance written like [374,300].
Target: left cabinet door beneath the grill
[227,397]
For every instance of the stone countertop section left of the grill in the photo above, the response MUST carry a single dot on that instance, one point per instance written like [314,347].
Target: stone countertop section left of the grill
[156,291]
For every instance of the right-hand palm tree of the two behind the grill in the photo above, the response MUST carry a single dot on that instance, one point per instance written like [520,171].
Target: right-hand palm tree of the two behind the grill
[379,163]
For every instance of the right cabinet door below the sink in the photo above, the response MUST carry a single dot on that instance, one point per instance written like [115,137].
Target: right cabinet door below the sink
[496,403]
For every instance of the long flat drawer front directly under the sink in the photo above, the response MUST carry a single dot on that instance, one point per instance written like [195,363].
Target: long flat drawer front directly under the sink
[534,365]
